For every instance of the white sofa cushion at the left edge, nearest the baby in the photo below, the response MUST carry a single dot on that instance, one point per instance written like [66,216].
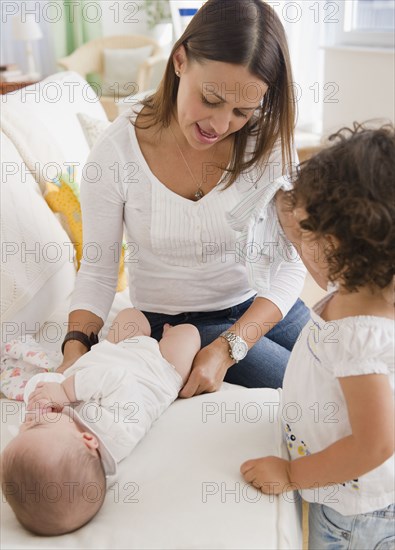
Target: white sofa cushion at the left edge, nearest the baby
[37,267]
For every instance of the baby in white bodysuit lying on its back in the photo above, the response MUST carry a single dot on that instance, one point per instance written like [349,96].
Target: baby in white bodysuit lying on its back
[77,428]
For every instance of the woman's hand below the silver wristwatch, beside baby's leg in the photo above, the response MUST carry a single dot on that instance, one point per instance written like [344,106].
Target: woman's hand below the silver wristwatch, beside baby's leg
[208,369]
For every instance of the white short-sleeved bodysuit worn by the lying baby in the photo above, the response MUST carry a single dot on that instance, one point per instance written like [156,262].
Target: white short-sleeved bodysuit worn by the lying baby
[122,389]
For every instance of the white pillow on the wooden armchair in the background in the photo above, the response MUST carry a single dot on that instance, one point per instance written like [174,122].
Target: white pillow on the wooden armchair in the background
[121,69]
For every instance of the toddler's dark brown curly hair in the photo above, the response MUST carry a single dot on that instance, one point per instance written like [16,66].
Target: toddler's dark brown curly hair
[345,197]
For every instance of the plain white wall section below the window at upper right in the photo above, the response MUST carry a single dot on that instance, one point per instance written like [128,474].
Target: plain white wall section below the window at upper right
[363,86]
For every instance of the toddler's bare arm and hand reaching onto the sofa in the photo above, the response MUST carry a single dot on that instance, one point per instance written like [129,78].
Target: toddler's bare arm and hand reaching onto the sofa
[370,407]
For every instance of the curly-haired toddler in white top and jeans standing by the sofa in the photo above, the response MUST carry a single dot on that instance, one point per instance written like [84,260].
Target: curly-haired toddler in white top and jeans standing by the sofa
[338,392]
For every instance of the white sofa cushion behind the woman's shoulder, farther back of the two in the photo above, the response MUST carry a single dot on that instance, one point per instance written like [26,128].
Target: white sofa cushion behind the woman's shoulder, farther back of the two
[41,121]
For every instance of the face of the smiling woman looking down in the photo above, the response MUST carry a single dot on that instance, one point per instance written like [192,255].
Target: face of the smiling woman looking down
[215,99]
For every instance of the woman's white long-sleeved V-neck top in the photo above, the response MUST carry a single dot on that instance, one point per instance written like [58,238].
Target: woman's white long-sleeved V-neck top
[181,255]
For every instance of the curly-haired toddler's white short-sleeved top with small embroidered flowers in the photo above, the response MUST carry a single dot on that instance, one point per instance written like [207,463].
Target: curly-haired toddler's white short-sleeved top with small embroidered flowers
[314,411]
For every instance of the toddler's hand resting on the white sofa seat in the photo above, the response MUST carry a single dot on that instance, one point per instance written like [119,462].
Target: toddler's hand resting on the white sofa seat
[269,474]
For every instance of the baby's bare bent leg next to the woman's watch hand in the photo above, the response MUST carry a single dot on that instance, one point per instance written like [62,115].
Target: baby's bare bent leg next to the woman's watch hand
[179,345]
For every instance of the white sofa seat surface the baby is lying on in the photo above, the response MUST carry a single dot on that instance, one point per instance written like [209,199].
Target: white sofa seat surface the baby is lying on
[181,487]
